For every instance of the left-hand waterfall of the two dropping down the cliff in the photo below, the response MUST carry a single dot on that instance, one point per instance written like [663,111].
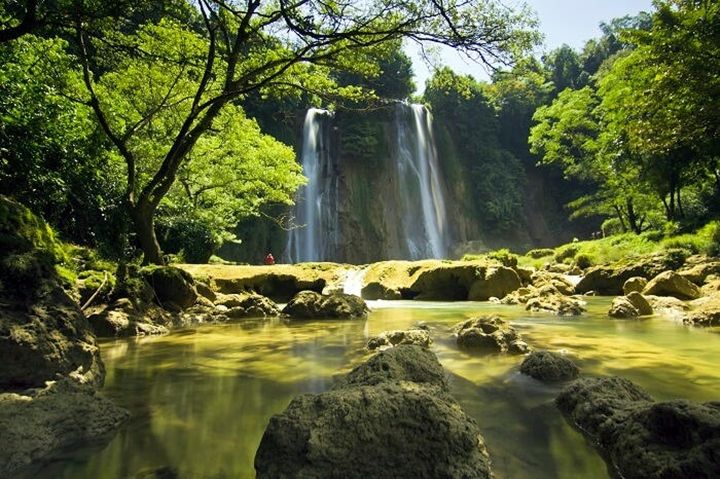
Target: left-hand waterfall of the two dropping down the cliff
[315,212]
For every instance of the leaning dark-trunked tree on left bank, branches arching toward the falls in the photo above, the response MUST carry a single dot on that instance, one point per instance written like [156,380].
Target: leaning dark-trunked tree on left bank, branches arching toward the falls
[242,47]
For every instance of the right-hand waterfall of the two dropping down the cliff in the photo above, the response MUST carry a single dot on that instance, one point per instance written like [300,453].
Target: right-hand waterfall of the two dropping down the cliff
[424,232]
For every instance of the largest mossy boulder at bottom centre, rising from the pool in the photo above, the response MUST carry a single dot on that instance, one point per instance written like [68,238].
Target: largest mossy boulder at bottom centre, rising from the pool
[391,417]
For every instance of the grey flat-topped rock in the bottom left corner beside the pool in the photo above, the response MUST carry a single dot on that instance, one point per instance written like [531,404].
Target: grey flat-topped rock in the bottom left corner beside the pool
[63,414]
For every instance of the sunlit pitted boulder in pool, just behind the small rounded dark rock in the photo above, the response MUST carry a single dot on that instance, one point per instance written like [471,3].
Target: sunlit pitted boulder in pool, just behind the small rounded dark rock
[489,334]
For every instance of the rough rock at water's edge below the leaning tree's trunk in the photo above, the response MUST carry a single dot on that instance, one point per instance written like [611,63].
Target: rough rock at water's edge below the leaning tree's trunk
[121,319]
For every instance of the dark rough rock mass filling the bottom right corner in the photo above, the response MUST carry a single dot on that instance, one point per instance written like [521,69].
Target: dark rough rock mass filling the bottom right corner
[640,437]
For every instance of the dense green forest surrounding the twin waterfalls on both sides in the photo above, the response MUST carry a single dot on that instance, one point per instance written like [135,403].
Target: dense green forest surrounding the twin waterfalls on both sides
[144,128]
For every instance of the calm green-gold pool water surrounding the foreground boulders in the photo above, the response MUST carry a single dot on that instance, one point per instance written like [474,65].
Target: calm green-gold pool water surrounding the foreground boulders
[200,398]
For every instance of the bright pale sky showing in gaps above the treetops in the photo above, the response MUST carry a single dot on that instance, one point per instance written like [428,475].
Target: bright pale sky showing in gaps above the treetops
[572,22]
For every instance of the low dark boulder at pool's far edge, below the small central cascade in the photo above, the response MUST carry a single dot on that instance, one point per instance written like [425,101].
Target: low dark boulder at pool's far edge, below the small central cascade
[312,305]
